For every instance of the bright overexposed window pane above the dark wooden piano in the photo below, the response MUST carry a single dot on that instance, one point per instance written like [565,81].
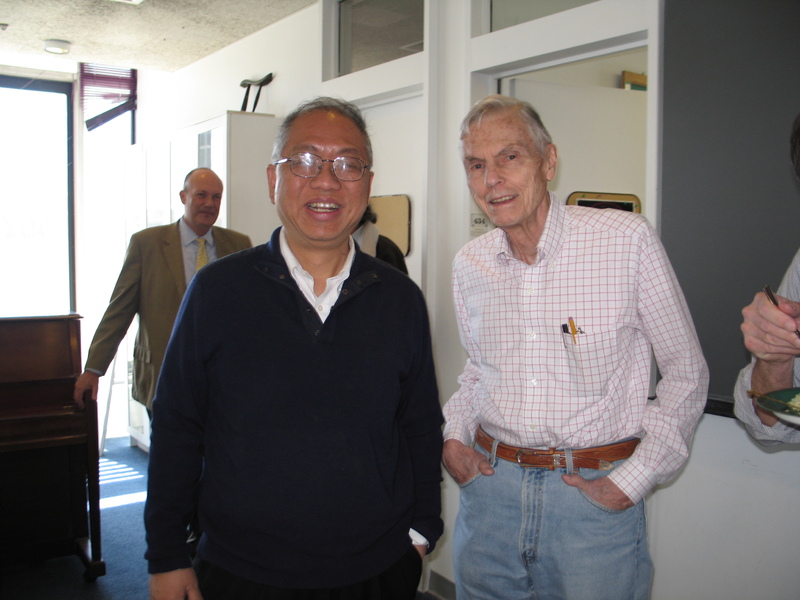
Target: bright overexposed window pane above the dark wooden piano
[34,222]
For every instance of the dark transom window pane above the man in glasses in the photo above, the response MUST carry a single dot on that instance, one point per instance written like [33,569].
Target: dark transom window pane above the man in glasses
[372,32]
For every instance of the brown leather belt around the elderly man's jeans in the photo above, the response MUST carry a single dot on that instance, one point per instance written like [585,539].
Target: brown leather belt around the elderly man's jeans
[598,457]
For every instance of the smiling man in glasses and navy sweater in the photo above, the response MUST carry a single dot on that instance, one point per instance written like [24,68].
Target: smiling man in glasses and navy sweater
[297,406]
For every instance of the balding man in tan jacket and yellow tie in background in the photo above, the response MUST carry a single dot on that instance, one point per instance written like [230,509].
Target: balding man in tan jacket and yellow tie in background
[158,266]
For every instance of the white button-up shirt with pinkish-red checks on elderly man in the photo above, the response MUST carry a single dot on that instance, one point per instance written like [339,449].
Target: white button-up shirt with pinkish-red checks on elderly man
[530,384]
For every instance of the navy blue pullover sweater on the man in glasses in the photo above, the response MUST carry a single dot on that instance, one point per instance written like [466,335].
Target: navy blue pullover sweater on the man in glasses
[316,445]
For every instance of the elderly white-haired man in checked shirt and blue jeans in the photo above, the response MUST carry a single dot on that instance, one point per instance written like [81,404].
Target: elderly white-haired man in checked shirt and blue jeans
[552,436]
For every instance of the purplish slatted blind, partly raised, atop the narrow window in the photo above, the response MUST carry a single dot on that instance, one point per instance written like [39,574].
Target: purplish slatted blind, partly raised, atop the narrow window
[106,93]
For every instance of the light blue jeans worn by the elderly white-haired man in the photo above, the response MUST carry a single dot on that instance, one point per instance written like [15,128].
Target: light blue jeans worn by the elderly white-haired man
[523,533]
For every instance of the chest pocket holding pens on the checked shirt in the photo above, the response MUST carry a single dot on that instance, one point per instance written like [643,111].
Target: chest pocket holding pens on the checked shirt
[591,358]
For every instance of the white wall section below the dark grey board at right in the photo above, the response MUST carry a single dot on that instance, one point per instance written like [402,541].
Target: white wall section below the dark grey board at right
[728,526]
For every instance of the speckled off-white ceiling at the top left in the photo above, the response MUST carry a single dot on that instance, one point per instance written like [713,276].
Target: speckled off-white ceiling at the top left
[164,35]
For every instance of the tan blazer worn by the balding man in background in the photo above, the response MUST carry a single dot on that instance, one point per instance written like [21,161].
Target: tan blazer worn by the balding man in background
[151,284]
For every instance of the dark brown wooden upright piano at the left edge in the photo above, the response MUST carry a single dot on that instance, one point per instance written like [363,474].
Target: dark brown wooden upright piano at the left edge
[49,459]
